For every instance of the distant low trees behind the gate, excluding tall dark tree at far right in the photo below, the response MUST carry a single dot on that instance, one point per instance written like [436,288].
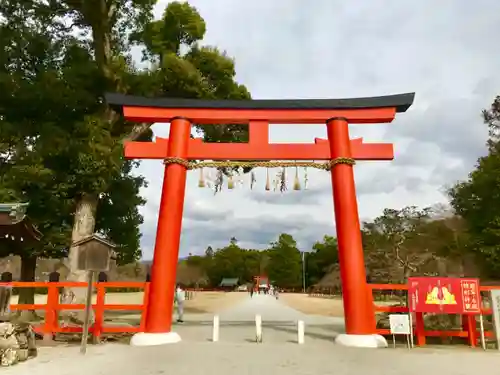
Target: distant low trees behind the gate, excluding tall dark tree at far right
[397,244]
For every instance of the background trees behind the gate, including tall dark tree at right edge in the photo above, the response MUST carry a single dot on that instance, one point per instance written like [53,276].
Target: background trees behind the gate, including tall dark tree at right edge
[458,239]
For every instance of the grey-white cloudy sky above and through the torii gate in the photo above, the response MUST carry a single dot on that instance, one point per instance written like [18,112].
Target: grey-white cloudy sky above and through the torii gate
[442,50]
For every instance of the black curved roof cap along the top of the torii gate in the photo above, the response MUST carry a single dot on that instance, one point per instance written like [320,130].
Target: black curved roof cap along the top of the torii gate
[400,101]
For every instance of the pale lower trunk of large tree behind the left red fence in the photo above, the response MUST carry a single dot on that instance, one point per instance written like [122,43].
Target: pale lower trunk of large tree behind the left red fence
[83,226]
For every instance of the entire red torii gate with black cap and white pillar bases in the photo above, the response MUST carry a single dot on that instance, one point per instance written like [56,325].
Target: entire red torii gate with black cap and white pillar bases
[179,148]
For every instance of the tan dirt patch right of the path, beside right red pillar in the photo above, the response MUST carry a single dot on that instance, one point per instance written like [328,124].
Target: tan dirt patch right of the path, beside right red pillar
[314,305]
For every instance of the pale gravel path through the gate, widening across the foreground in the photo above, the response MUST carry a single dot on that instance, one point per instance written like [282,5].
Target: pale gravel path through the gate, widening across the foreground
[236,353]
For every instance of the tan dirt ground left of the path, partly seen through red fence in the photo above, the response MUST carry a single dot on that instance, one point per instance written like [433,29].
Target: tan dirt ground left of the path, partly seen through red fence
[203,302]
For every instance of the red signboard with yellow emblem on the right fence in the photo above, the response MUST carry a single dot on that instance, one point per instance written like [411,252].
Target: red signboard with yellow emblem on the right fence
[444,295]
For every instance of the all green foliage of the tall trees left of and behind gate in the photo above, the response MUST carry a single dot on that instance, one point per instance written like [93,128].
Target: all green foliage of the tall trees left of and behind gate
[58,141]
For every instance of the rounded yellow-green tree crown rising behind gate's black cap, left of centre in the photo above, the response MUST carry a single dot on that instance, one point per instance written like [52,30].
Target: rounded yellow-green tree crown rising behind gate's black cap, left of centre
[187,70]
